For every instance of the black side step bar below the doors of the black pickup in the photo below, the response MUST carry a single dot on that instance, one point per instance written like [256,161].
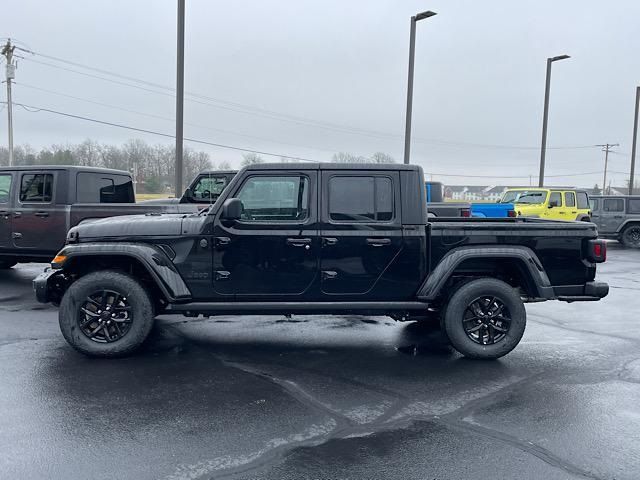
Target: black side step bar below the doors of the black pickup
[279,308]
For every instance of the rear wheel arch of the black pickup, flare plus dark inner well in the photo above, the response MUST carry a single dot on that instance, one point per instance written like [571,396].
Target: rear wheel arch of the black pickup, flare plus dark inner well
[518,266]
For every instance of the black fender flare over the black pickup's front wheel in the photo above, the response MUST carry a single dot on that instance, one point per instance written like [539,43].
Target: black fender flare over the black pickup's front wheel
[151,257]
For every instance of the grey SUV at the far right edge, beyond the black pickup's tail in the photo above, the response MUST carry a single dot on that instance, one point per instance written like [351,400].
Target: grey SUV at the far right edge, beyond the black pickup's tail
[617,217]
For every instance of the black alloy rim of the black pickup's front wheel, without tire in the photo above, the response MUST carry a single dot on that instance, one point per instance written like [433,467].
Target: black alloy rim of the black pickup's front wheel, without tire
[105,316]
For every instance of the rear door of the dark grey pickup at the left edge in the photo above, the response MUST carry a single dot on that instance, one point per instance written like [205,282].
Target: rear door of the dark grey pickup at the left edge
[38,224]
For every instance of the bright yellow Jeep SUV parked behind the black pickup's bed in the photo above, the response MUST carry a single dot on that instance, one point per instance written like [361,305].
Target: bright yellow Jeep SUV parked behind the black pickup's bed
[552,203]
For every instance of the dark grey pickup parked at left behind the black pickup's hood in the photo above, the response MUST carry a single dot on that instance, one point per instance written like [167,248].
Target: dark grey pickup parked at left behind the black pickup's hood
[38,205]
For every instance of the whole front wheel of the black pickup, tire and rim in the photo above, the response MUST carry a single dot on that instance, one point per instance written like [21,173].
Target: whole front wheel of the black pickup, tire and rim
[106,314]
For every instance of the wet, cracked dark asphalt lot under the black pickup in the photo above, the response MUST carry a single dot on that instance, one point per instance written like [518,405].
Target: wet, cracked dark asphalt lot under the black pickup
[332,397]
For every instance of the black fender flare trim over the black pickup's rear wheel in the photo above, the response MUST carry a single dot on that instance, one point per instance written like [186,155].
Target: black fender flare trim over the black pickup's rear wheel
[434,283]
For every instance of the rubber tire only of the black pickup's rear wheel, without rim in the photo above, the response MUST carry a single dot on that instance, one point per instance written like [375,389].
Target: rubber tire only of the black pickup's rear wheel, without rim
[456,309]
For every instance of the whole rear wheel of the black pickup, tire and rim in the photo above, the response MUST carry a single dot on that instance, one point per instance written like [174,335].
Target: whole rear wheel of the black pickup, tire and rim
[485,319]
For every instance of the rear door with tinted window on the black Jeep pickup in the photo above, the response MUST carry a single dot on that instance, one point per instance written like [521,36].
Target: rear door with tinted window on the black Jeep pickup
[361,232]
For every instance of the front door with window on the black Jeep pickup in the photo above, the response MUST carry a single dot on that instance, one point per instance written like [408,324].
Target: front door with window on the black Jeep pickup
[273,249]
